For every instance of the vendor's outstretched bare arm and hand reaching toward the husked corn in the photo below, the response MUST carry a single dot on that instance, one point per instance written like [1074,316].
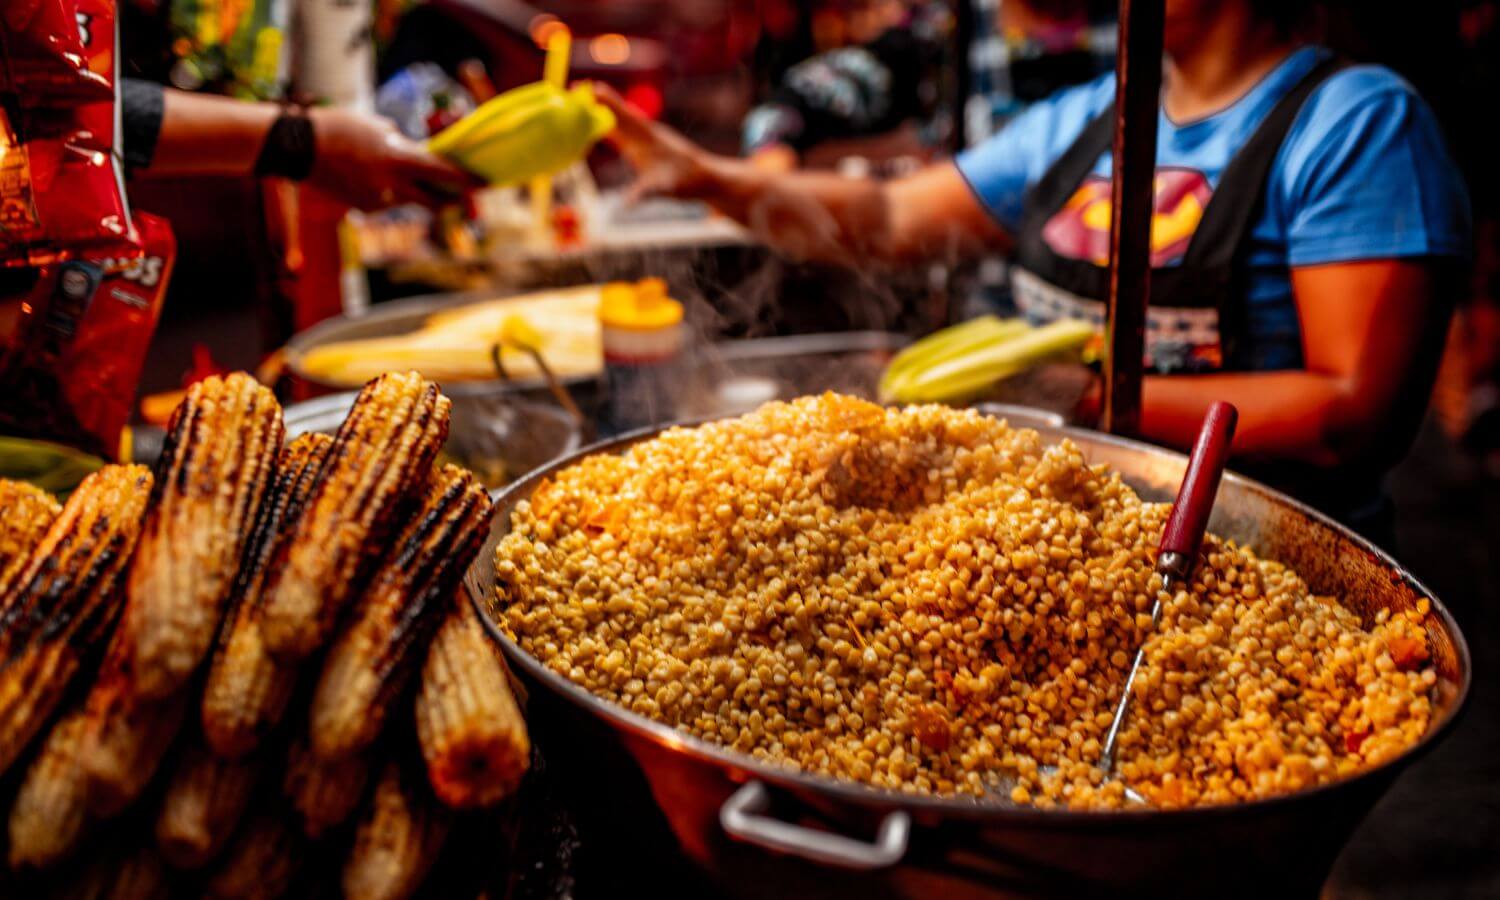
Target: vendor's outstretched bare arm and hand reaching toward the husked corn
[814,215]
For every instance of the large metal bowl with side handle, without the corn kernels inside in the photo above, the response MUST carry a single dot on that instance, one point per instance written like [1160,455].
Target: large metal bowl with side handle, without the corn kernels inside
[727,811]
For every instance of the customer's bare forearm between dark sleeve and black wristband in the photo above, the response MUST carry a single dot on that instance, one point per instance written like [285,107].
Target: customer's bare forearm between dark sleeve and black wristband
[208,136]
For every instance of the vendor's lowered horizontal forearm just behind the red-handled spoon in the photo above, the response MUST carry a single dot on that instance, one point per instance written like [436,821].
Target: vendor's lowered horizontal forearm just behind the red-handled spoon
[1286,415]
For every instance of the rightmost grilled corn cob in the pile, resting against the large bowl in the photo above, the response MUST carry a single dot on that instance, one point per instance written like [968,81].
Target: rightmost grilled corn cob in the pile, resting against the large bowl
[469,724]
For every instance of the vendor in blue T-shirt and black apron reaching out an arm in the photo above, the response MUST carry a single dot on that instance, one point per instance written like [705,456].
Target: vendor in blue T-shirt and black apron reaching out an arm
[1310,236]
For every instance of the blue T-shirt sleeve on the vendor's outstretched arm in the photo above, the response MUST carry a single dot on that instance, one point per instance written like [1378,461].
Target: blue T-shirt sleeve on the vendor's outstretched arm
[1004,167]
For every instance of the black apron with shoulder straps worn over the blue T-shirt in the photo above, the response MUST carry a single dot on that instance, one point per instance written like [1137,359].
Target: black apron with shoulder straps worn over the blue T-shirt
[1198,316]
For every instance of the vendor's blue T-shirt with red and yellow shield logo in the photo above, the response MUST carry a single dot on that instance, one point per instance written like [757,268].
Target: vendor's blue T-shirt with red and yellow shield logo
[1363,175]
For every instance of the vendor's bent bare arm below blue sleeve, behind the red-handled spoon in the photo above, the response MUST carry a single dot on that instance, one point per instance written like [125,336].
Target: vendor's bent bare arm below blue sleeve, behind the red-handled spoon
[1372,334]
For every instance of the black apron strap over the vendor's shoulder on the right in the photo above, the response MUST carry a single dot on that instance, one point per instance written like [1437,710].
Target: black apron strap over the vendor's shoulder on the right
[1241,191]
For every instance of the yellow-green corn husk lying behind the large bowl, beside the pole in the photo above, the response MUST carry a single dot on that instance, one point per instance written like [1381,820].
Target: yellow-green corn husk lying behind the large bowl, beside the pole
[964,376]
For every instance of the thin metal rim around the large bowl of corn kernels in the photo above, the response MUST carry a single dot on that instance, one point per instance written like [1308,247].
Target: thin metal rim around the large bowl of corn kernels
[743,767]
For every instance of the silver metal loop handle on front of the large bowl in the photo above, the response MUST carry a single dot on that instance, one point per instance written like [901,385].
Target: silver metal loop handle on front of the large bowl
[743,818]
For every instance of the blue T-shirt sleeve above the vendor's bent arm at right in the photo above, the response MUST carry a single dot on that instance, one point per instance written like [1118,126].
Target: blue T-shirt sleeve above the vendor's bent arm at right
[1366,176]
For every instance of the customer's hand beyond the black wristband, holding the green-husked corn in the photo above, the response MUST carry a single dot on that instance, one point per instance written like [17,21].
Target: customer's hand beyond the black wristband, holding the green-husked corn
[367,163]
